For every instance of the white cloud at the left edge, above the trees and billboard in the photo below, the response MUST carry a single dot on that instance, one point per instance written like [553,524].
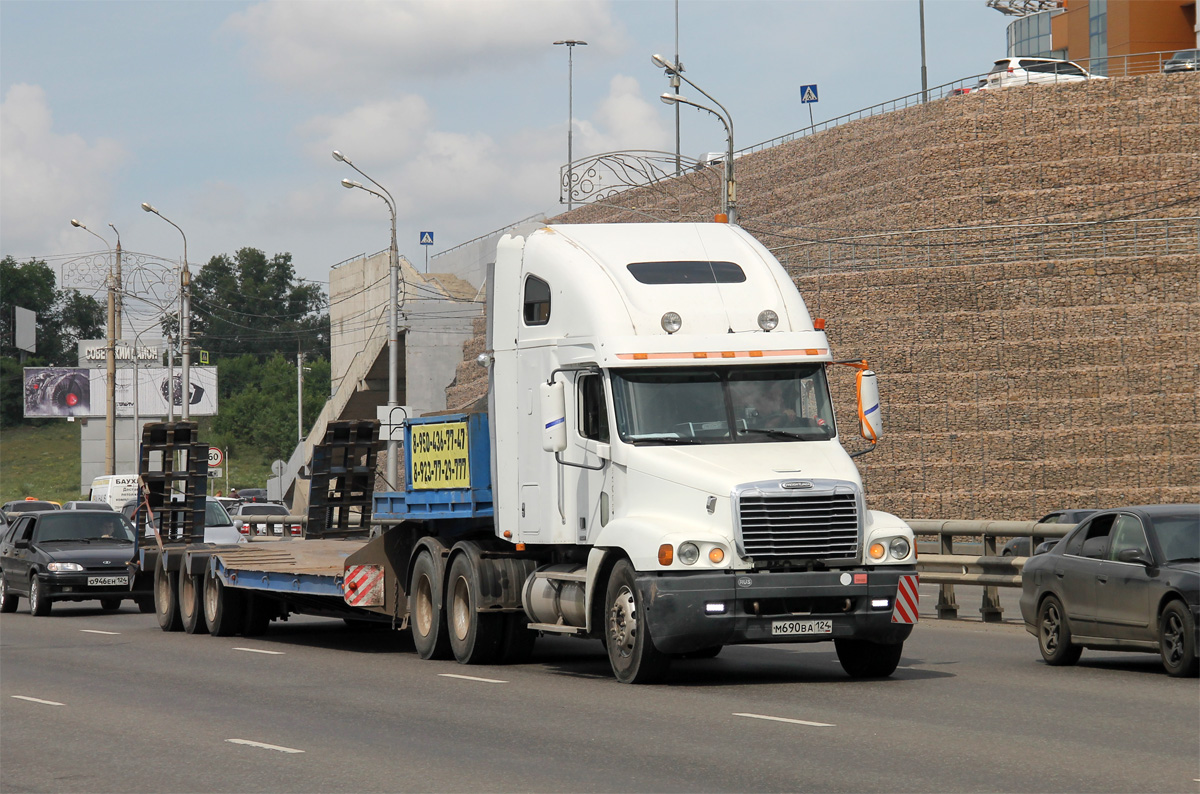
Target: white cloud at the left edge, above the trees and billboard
[51,178]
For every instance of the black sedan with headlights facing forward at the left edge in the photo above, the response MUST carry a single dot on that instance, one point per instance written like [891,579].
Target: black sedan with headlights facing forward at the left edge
[70,556]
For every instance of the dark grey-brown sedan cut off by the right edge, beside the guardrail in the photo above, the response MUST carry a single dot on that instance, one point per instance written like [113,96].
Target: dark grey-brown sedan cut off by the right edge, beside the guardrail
[1124,580]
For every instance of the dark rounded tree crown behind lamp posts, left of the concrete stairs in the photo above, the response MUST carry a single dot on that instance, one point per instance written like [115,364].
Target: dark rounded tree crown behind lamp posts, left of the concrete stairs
[254,305]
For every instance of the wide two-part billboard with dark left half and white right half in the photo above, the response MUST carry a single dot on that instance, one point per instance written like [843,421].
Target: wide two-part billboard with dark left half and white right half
[80,392]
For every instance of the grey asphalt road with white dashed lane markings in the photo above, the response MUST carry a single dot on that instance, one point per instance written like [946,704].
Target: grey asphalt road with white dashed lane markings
[94,702]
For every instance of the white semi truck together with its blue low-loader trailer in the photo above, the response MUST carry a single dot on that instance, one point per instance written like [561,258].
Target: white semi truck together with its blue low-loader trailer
[659,467]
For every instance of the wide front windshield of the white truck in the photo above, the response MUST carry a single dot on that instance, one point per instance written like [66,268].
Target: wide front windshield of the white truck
[699,406]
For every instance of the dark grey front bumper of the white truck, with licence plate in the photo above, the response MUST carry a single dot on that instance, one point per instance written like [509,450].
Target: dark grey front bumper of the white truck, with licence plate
[689,612]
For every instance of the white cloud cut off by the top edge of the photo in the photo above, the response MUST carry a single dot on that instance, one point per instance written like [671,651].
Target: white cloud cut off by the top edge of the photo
[353,44]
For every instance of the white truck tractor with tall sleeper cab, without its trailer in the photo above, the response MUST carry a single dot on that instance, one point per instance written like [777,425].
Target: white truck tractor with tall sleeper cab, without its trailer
[664,448]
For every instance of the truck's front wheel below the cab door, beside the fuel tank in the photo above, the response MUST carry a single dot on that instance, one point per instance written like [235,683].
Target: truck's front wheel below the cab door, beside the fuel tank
[632,652]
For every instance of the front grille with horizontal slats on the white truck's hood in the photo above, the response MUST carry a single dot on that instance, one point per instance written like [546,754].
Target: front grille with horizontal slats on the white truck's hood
[820,522]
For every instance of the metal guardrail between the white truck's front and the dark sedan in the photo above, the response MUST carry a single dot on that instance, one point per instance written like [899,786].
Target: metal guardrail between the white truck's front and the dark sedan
[989,570]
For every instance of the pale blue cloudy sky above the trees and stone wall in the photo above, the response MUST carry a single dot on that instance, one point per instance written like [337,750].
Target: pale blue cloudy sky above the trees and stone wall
[224,115]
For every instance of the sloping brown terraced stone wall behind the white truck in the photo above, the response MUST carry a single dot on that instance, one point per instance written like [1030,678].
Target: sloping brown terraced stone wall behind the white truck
[1021,267]
